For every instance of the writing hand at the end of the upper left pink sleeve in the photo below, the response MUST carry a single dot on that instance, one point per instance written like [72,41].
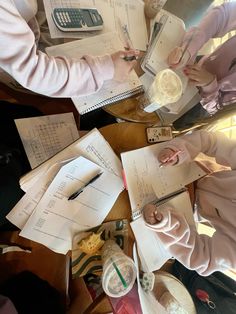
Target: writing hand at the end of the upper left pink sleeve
[122,67]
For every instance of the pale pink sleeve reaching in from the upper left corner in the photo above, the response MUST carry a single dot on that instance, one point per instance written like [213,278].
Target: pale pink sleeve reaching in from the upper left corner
[52,76]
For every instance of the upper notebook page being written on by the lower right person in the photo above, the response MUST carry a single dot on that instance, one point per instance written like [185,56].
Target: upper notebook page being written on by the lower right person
[146,181]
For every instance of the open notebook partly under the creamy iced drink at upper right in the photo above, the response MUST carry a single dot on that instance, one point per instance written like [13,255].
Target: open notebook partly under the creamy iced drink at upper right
[167,32]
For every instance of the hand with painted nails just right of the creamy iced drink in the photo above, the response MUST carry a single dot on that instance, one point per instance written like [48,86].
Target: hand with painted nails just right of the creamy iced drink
[198,76]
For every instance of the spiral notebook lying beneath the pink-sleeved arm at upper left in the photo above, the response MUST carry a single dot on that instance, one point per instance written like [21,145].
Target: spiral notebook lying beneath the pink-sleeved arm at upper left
[111,91]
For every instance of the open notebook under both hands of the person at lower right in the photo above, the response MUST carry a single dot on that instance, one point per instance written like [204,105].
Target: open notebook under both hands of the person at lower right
[148,183]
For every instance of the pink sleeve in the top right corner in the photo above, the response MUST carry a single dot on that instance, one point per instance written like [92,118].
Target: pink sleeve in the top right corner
[218,21]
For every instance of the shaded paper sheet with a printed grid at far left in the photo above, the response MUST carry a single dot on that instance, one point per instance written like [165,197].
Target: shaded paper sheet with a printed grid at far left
[45,136]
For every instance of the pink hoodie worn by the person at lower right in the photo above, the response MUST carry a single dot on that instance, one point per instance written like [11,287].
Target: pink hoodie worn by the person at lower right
[215,202]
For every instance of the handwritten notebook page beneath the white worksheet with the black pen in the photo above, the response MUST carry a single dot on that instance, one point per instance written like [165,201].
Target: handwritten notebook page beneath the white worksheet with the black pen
[92,146]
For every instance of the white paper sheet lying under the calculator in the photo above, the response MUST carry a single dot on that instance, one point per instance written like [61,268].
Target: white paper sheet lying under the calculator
[130,14]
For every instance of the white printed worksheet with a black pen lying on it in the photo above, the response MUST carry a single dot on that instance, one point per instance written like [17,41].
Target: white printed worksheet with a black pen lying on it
[55,220]
